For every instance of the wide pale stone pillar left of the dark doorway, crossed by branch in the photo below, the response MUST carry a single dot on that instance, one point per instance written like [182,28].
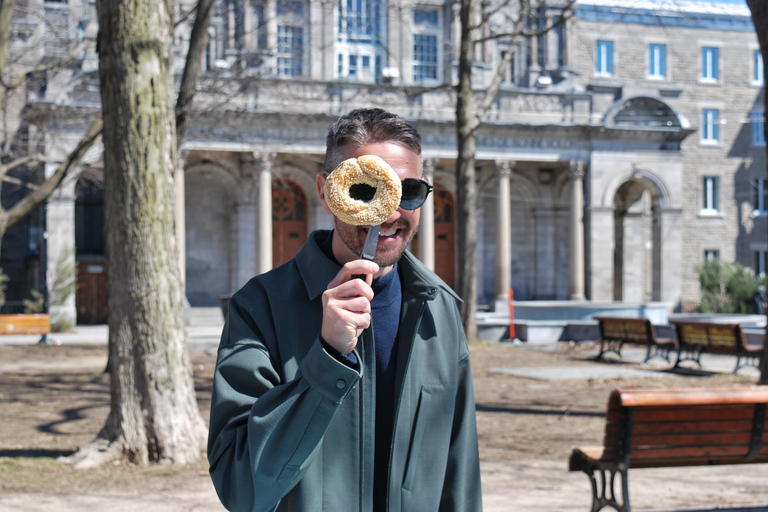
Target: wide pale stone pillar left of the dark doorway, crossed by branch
[60,247]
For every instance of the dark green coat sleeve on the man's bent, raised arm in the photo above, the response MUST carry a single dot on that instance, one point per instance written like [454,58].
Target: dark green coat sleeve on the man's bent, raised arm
[264,431]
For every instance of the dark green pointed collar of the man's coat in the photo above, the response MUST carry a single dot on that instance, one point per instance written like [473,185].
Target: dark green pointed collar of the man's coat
[317,271]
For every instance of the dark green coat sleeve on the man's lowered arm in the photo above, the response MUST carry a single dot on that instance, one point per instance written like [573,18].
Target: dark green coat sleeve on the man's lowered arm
[462,490]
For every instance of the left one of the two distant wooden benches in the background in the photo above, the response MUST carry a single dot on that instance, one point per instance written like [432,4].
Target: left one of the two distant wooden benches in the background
[616,331]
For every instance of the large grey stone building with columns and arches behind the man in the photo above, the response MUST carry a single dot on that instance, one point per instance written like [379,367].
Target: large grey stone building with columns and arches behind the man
[624,148]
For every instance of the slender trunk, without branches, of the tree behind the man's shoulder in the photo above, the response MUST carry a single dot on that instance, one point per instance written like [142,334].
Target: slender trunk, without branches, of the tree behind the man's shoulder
[466,124]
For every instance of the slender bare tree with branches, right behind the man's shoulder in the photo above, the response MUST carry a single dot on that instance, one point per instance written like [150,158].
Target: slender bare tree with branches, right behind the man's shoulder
[471,107]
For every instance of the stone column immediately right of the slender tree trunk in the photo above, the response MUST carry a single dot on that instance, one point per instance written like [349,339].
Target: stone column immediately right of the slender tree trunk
[503,265]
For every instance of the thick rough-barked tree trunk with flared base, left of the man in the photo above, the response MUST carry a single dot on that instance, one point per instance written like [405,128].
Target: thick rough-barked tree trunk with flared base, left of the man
[154,414]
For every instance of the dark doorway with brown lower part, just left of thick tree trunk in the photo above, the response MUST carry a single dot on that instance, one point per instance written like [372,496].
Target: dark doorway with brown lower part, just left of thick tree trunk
[91,293]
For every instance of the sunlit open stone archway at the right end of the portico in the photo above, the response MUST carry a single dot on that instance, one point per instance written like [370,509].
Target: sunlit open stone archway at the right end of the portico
[637,249]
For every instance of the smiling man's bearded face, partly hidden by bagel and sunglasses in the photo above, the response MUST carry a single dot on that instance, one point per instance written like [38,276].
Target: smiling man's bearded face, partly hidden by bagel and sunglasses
[397,231]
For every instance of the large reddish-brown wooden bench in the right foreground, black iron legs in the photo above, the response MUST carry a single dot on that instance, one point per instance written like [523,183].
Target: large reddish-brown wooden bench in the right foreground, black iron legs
[652,428]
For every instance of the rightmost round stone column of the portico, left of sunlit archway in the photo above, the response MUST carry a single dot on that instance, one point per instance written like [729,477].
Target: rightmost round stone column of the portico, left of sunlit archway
[576,232]
